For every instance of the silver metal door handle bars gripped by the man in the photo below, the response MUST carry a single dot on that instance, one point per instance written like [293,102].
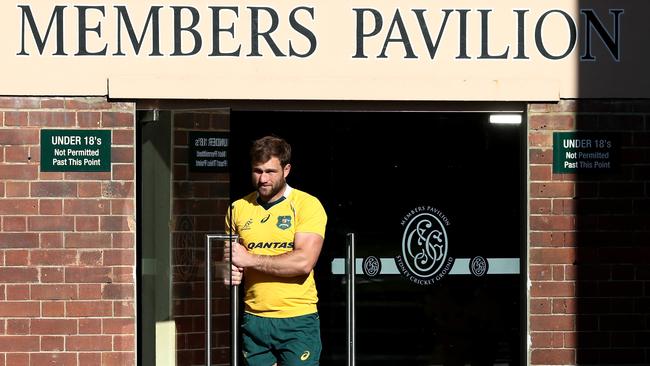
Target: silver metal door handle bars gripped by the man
[234,302]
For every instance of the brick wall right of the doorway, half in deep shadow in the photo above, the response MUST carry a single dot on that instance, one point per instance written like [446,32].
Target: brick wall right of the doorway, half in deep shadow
[589,240]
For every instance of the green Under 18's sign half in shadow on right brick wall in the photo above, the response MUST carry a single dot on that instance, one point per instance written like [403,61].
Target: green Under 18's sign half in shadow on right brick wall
[584,152]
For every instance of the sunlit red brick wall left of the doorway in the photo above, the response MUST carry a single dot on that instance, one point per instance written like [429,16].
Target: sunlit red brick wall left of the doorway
[67,248]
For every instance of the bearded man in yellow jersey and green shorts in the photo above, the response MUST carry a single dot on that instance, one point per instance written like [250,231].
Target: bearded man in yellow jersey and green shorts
[282,231]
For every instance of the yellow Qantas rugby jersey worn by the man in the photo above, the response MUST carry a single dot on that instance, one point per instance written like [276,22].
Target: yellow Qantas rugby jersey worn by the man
[270,230]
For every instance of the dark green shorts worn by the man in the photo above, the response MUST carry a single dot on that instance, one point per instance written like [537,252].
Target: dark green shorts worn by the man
[285,341]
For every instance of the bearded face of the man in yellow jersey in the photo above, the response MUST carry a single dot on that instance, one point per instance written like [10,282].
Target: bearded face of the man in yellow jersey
[269,179]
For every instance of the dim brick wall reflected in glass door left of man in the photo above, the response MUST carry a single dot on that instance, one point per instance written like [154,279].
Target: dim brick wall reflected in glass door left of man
[199,206]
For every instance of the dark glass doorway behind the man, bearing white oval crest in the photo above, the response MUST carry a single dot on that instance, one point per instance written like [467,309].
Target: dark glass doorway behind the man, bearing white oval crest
[430,205]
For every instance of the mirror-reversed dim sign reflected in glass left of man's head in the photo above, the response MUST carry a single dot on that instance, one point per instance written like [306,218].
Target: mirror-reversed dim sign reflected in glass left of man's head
[208,151]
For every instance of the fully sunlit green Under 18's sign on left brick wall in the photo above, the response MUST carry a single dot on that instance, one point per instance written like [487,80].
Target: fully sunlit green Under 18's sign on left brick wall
[75,150]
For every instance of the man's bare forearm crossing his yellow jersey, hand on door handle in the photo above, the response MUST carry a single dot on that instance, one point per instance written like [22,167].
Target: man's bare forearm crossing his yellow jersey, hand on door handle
[300,261]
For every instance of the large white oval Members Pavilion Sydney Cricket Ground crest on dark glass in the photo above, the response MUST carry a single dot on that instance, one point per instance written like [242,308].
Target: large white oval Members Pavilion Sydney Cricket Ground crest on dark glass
[425,245]
